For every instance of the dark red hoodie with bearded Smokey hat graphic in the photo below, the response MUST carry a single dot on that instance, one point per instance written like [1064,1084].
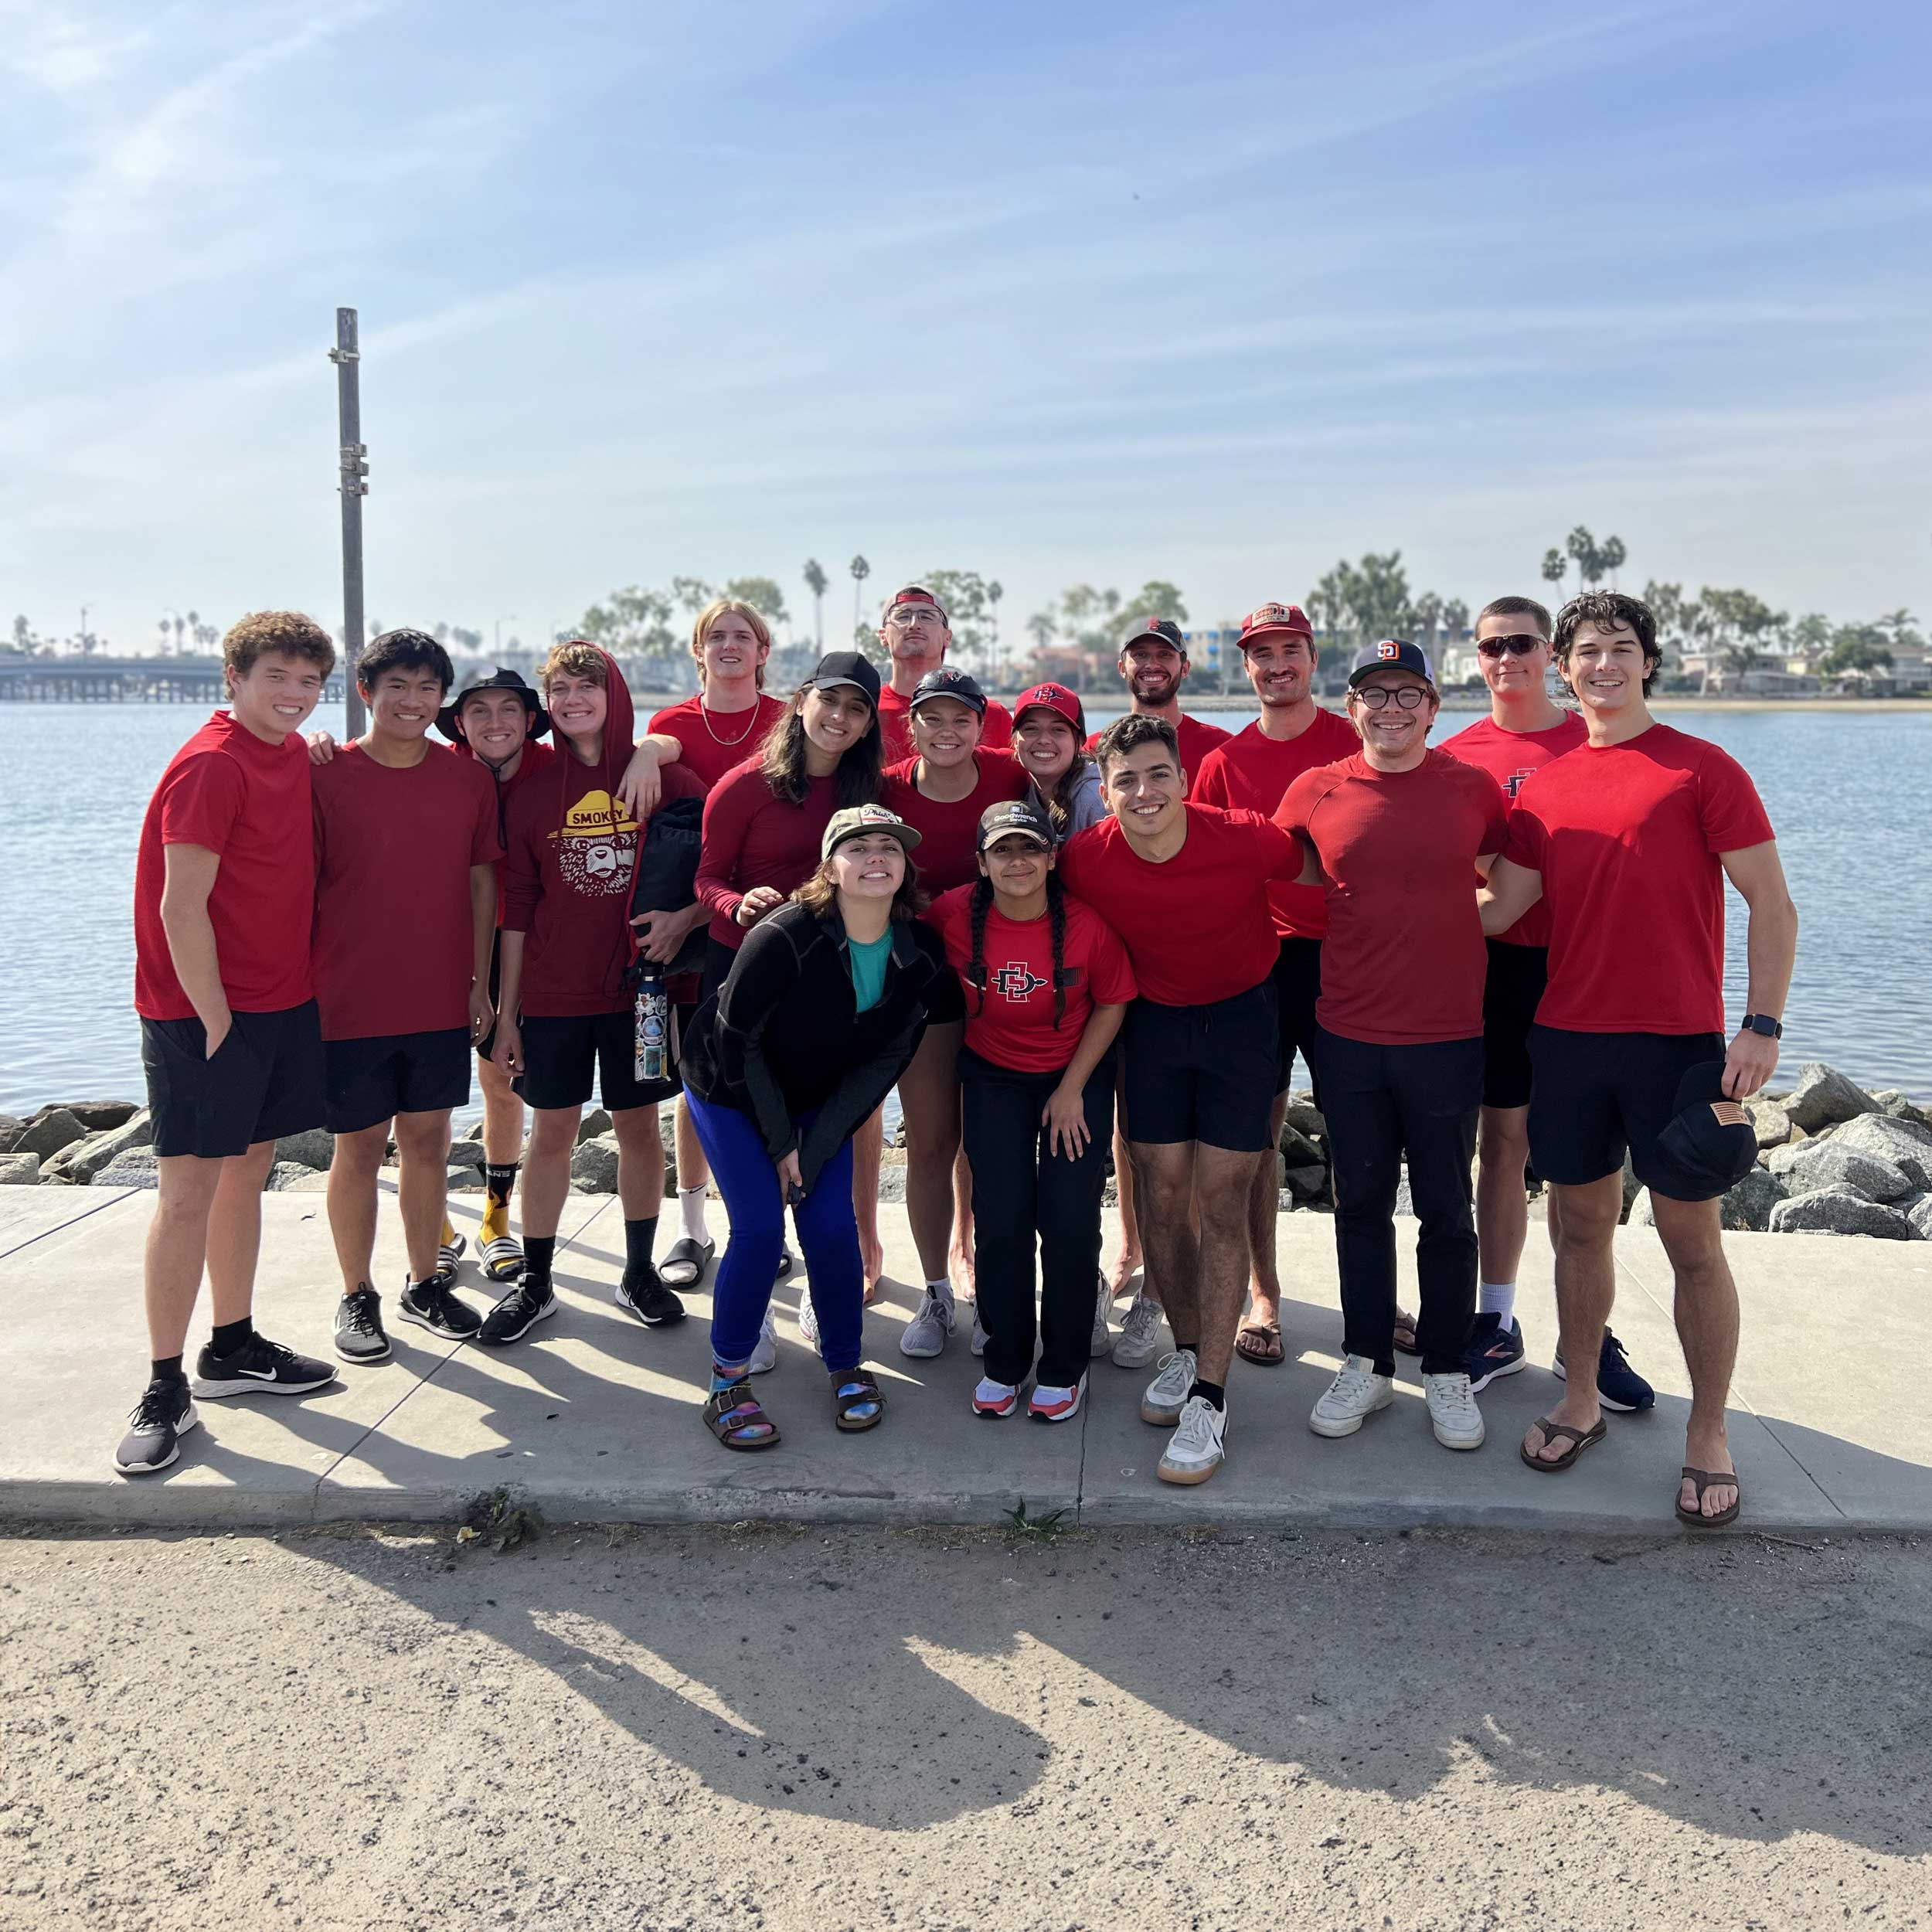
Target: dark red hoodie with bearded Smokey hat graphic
[571,853]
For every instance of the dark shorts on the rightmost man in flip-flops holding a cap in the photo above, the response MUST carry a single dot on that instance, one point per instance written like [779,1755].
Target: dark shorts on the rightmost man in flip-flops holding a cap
[1601,1094]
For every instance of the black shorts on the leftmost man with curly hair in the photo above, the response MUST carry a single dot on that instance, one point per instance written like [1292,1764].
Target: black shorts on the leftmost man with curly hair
[264,1083]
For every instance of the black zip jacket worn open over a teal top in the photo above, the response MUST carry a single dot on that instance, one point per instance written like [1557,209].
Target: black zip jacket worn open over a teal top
[783,1035]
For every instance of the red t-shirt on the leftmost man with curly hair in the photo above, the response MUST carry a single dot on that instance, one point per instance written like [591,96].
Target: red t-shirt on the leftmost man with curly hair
[248,803]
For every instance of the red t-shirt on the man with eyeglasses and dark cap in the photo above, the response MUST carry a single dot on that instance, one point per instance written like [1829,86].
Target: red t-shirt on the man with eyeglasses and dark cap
[1404,959]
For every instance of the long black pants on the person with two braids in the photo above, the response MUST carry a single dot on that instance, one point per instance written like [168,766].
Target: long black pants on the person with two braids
[1019,1191]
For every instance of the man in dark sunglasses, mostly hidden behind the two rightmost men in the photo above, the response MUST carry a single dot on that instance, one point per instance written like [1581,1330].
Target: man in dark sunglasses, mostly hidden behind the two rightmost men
[1523,733]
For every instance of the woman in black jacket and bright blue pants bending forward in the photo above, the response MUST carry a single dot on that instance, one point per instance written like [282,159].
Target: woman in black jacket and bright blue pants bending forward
[814,1025]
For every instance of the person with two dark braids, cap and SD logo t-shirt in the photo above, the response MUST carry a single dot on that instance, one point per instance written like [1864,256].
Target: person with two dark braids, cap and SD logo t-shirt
[1046,986]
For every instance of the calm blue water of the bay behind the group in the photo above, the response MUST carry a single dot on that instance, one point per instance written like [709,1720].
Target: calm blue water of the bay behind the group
[1850,795]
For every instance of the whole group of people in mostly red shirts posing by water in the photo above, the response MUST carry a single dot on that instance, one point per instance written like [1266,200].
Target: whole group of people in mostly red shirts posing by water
[1050,944]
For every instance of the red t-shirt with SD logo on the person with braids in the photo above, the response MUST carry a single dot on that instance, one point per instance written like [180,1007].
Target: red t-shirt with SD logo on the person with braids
[1013,1025]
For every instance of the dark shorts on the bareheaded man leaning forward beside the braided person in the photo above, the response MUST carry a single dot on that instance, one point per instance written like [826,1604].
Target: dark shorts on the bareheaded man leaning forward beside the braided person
[1203,1073]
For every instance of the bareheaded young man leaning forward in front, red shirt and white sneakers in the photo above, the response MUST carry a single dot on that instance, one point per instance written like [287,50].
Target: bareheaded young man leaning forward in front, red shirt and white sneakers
[1187,890]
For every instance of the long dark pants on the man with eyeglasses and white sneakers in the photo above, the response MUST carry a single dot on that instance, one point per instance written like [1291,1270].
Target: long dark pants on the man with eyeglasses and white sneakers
[1382,1102]
